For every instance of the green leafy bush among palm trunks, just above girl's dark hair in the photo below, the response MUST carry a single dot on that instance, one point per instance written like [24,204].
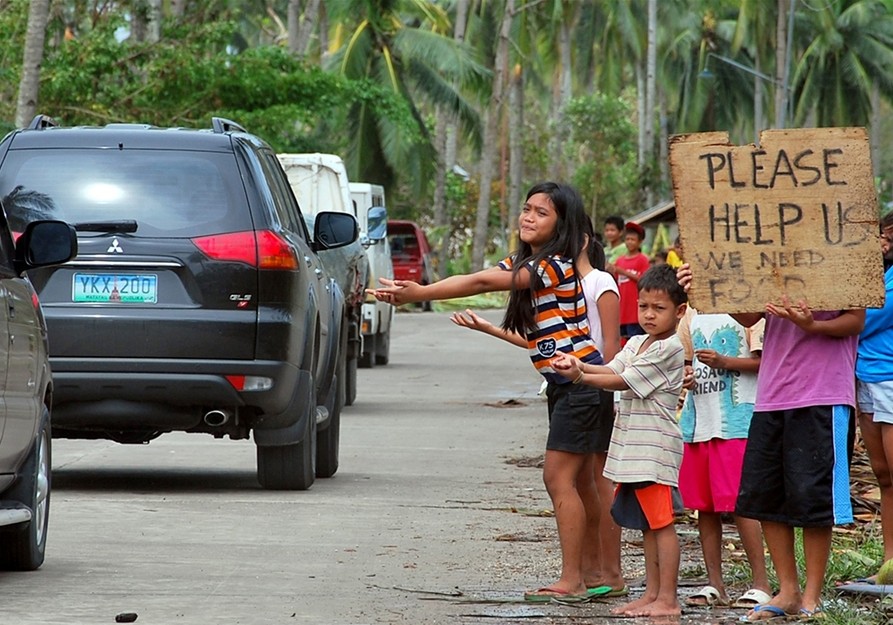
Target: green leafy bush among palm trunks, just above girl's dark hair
[603,144]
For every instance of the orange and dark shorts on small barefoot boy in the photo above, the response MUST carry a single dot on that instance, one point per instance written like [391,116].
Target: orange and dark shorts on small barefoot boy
[645,505]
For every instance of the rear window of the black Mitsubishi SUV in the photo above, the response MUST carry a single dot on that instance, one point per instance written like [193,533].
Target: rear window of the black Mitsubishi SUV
[168,193]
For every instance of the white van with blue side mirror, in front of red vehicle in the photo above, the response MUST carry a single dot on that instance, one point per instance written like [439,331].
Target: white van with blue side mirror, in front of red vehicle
[377,316]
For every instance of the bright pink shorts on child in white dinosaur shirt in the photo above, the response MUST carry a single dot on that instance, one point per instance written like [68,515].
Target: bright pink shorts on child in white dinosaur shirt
[711,473]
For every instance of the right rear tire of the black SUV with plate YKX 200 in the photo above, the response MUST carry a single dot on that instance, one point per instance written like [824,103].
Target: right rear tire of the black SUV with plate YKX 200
[290,467]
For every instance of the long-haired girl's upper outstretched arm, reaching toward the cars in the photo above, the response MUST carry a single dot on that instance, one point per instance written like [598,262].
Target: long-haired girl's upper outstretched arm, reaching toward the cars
[485,281]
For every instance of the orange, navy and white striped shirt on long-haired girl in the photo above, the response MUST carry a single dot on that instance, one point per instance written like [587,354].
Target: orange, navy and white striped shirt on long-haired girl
[560,316]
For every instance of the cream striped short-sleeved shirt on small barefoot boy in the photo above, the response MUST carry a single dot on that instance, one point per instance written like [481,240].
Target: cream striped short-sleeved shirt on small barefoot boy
[646,443]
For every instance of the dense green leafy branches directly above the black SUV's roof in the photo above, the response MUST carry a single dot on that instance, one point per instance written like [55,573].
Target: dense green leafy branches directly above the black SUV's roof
[193,74]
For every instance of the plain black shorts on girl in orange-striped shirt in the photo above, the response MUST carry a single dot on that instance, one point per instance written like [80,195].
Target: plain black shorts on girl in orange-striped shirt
[576,424]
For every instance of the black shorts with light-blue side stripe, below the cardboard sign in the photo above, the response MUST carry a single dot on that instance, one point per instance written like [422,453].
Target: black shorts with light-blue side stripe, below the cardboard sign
[796,467]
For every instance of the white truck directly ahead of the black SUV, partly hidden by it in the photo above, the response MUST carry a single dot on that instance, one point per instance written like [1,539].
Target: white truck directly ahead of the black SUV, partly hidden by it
[319,182]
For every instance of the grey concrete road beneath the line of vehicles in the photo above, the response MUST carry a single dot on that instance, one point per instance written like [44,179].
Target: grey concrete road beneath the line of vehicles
[424,505]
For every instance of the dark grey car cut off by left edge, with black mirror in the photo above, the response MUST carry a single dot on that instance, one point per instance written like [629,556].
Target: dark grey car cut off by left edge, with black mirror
[26,391]
